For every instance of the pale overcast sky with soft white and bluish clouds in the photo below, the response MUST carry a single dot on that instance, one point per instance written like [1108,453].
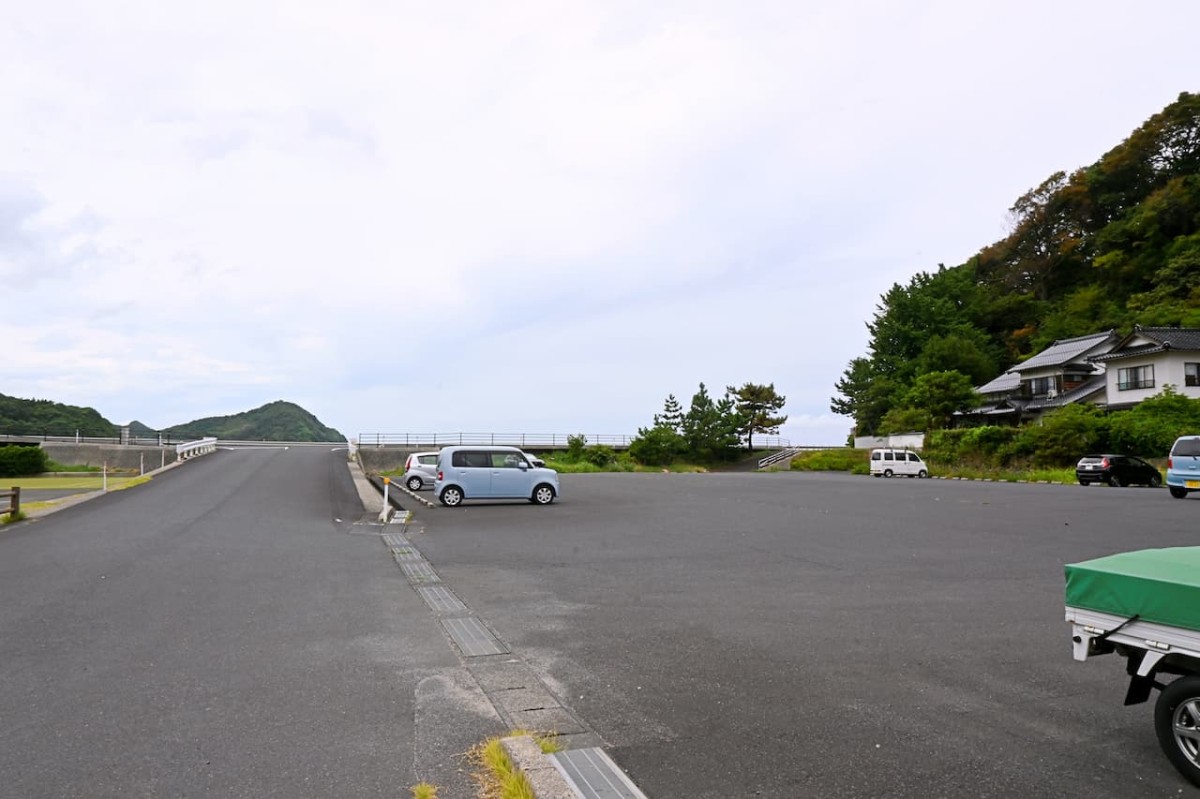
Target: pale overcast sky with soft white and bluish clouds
[521,217]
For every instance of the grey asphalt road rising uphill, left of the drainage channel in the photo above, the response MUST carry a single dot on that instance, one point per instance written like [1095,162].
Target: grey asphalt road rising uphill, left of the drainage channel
[226,630]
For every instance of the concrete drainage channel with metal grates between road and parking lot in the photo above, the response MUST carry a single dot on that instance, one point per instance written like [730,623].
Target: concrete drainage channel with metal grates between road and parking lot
[583,770]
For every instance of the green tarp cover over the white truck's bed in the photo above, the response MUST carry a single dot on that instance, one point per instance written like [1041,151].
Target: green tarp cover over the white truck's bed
[1161,586]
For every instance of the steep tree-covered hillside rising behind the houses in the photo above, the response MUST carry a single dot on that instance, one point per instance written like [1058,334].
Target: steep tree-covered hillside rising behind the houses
[1111,245]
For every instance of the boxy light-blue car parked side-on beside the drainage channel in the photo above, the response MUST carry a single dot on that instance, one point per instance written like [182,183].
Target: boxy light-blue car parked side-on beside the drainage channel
[491,473]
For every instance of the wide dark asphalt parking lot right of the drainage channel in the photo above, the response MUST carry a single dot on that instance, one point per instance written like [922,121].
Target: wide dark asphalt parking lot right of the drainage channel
[820,635]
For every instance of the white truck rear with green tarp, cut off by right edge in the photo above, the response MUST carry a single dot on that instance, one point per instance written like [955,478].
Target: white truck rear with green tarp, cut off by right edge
[1145,606]
